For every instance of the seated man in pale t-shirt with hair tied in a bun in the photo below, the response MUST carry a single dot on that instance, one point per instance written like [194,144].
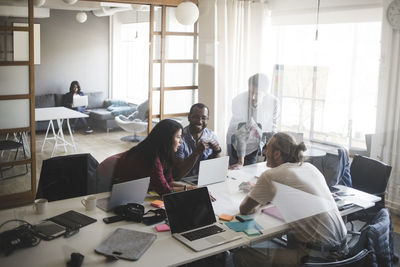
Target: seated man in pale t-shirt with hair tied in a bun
[323,235]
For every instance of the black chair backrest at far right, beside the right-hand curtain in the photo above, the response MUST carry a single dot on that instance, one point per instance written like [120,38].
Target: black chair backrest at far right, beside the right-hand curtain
[369,175]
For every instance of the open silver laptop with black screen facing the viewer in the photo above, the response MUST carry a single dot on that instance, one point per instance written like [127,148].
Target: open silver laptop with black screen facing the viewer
[192,220]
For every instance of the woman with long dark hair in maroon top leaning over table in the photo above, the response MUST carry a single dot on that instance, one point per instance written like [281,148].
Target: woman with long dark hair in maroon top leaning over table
[154,157]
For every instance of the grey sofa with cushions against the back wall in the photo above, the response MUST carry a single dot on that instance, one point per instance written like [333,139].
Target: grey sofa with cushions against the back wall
[101,111]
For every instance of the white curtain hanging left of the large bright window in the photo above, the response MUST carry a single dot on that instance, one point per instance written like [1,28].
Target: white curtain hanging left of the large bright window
[239,27]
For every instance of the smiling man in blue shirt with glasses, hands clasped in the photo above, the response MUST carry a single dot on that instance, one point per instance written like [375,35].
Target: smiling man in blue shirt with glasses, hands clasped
[199,143]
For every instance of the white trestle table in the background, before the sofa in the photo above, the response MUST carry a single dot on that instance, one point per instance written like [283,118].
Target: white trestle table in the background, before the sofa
[59,114]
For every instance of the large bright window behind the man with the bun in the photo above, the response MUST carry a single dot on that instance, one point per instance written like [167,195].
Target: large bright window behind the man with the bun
[327,88]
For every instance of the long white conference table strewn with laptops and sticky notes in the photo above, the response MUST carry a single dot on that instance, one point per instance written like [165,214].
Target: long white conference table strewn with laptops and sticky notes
[165,251]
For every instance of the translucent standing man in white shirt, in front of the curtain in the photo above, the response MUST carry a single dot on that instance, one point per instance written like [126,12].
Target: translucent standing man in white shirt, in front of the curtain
[254,112]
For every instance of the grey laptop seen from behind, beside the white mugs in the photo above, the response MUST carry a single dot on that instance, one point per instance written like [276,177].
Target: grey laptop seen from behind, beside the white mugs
[128,192]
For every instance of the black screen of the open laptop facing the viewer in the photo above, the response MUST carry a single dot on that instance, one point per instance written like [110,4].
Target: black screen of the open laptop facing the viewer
[188,210]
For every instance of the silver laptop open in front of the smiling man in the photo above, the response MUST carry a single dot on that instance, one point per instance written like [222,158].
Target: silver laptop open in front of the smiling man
[211,171]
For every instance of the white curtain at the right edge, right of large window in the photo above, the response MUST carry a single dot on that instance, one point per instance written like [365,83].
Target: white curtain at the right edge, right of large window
[386,142]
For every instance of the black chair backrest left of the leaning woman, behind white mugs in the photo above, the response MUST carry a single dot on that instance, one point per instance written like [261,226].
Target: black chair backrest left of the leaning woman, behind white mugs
[67,177]
